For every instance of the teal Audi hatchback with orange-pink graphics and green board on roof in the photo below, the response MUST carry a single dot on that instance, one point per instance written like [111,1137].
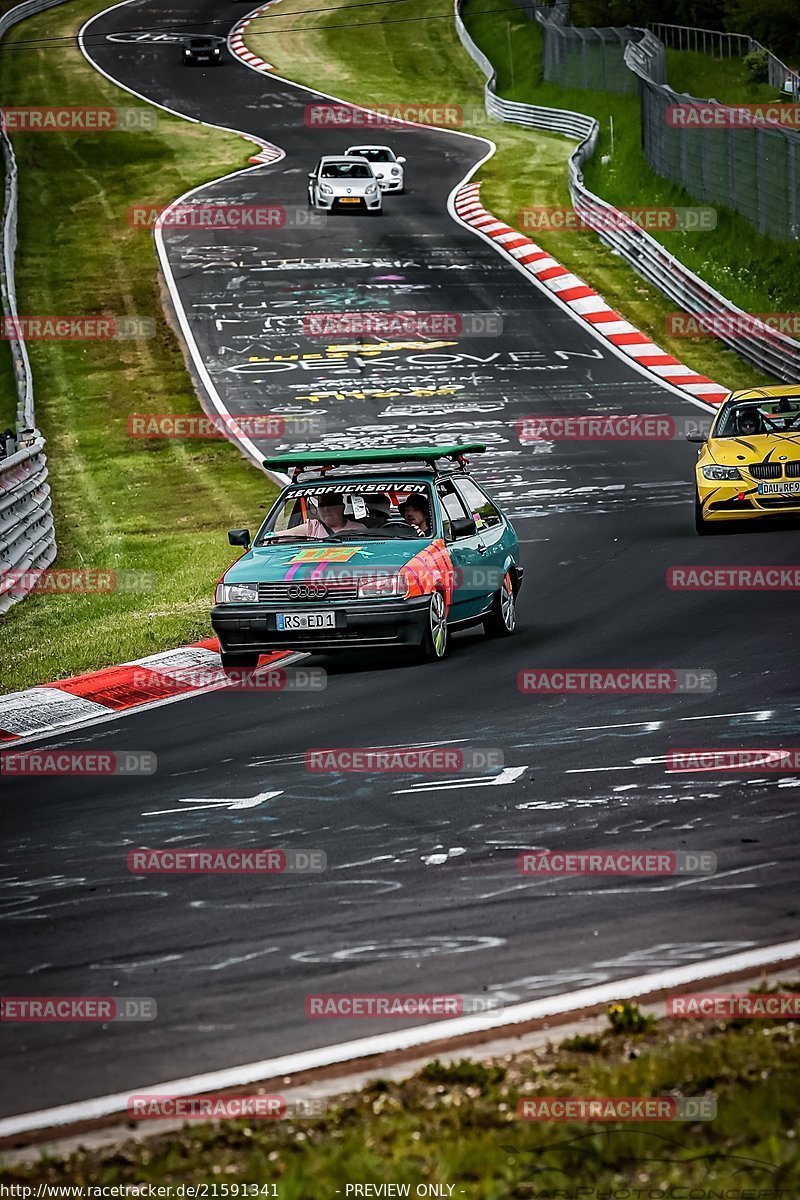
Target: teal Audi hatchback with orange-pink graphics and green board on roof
[369,549]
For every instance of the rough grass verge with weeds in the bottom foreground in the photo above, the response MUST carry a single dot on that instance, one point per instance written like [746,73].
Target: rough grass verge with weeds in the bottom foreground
[459,1126]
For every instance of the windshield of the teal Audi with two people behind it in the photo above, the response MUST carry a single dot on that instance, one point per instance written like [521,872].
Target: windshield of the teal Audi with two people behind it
[335,512]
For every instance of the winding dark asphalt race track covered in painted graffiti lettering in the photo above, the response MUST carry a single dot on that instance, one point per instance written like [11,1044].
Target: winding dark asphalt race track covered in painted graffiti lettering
[423,892]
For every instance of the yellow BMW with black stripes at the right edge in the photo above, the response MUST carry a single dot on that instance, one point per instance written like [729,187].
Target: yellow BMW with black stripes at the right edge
[749,465]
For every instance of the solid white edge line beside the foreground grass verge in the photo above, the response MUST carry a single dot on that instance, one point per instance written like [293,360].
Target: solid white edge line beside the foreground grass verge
[406,1040]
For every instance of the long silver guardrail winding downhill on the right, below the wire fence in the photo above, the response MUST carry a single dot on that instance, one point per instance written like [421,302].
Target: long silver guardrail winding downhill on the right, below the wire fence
[767,350]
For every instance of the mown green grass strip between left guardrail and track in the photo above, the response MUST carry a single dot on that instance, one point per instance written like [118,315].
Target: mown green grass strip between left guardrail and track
[121,503]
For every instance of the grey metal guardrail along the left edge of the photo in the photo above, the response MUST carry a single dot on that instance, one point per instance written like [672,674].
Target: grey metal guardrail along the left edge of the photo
[27,531]
